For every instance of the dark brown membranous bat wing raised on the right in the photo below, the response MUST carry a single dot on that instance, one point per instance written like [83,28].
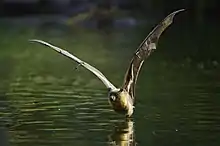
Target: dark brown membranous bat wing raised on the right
[144,50]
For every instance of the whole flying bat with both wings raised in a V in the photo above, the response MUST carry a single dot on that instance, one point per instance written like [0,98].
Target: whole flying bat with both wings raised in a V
[122,99]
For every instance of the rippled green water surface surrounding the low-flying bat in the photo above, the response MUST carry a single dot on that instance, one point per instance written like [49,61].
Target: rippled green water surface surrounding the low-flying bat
[45,101]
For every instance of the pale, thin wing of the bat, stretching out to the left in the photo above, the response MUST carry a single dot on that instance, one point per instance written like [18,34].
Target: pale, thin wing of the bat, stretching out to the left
[95,71]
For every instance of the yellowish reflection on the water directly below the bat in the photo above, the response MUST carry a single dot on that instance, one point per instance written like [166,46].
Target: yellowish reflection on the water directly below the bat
[123,134]
